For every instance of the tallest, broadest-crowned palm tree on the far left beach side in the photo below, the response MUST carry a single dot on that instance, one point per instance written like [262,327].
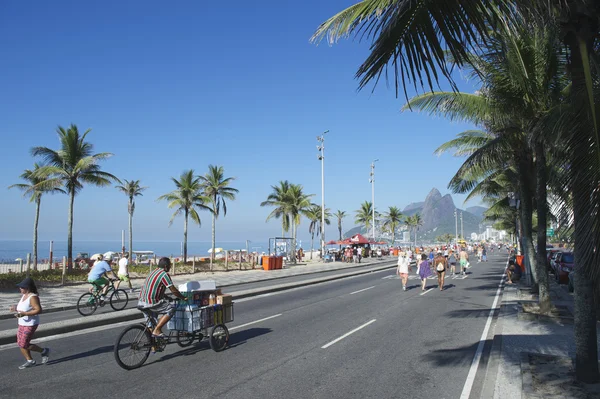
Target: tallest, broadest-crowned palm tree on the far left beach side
[72,166]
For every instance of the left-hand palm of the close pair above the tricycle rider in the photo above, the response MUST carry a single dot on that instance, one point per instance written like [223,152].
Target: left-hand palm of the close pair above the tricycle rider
[187,199]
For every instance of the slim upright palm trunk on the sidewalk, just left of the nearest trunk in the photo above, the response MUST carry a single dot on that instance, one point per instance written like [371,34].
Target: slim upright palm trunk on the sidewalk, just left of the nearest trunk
[542,205]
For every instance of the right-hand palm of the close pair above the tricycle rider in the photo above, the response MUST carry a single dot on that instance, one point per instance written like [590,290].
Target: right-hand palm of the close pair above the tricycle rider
[216,188]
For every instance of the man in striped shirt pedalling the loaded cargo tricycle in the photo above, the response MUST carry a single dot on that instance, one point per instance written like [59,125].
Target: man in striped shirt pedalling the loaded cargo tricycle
[152,294]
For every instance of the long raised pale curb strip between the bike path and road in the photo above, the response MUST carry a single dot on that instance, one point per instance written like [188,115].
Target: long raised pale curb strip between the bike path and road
[81,323]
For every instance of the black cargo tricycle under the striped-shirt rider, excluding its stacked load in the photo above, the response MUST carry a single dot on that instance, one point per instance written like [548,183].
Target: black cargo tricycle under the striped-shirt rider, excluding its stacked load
[134,343]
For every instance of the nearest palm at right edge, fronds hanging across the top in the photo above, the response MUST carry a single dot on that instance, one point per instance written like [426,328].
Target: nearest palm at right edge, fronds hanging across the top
[414,36]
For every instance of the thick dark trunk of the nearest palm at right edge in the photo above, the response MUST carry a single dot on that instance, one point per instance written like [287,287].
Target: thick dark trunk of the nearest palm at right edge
[586,345]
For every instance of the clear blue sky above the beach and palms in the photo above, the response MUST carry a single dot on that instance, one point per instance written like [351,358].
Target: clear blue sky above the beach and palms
[169,86]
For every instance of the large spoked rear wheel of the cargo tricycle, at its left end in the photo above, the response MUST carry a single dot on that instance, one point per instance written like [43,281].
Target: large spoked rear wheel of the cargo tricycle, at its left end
[133,346]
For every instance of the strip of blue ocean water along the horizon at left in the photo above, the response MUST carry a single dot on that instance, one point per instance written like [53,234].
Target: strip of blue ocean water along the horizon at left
[11,250]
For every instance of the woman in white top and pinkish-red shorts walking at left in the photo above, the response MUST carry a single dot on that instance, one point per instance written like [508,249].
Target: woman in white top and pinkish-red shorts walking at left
[28,310]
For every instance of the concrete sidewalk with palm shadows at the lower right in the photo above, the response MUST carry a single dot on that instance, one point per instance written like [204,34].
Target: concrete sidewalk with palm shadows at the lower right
[522,335]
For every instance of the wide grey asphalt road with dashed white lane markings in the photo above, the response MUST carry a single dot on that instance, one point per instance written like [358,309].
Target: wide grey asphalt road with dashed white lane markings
[410,346]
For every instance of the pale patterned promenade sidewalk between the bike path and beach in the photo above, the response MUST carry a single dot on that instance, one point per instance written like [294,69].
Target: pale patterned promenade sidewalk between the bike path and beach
[65,298]
